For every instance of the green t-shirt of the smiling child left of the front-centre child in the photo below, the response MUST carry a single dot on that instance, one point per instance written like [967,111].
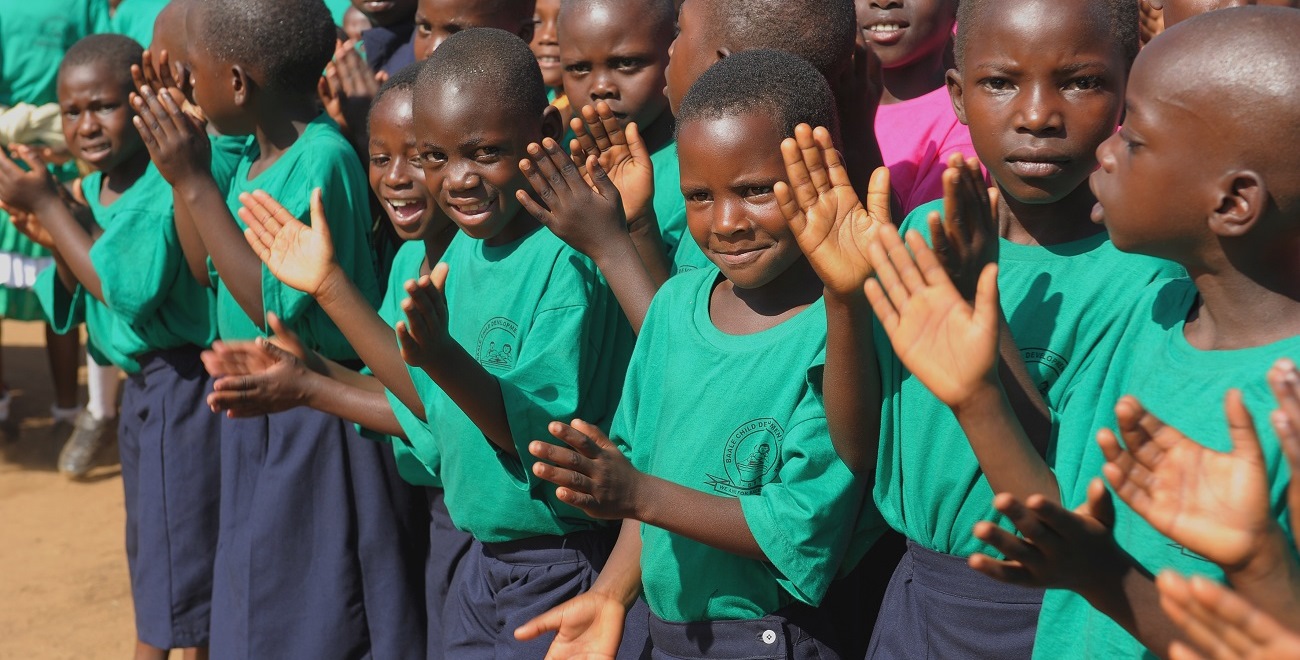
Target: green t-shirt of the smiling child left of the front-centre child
[539,319]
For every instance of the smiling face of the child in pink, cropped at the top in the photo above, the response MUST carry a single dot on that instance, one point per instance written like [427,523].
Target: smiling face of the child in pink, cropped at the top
[903,32]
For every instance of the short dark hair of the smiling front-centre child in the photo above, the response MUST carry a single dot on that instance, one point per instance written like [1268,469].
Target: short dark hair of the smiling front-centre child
[770,82]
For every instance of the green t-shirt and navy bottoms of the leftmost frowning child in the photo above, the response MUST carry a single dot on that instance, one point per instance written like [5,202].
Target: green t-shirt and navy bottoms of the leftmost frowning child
[153,323]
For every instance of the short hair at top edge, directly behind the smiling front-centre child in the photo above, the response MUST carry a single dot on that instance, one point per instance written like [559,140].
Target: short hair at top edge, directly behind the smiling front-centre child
[821,32]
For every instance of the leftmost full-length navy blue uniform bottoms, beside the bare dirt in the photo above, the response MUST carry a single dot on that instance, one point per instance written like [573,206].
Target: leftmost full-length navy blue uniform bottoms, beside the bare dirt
[171,448]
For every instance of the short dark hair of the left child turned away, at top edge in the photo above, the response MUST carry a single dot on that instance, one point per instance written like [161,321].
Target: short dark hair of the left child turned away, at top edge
[287,42]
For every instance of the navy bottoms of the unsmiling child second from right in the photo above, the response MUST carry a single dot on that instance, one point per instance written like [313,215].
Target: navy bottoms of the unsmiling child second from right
[938,607]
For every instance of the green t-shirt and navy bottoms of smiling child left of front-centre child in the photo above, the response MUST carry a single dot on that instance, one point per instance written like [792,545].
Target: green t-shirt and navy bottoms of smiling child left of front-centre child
[538,318]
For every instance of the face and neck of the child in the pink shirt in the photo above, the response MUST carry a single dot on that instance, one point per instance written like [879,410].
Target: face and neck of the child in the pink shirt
[911,38]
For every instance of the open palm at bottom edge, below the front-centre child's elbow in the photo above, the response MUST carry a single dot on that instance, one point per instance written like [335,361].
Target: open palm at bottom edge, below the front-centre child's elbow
[588,627]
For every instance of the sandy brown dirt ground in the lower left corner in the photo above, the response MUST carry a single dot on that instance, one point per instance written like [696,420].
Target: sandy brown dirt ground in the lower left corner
[64,590]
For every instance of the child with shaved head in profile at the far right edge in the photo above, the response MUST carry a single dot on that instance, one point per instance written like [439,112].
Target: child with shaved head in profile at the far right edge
[1227,324]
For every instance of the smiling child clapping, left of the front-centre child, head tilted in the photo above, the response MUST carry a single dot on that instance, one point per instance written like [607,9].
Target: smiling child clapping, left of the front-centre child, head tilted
[532,336]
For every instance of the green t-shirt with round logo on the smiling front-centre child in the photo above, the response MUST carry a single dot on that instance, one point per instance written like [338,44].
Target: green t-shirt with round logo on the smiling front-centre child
[765,442]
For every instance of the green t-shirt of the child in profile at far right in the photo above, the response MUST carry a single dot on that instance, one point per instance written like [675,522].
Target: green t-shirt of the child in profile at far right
[1185,388]
